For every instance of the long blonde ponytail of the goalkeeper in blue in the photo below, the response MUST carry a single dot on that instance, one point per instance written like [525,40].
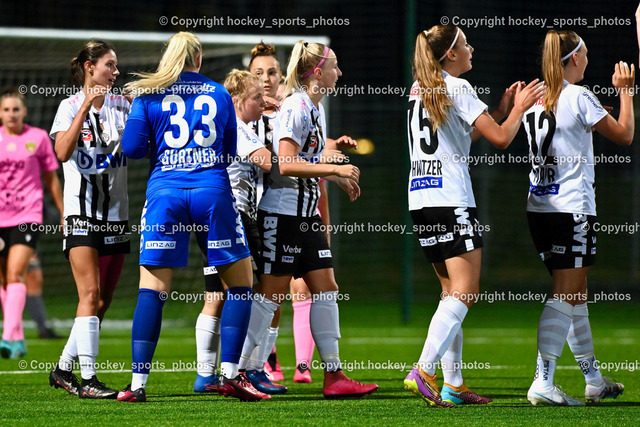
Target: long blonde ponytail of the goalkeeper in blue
[182,50]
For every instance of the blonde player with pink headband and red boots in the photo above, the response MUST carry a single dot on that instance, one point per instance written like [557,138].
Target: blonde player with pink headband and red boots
[292,243]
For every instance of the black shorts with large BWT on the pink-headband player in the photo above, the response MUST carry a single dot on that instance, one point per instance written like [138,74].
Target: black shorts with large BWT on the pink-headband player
[292,245]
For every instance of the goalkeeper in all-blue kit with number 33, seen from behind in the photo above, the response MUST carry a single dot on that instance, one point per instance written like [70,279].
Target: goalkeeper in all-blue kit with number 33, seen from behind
[187,123]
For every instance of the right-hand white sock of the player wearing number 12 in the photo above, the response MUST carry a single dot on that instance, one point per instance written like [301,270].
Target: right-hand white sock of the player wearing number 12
[581,344]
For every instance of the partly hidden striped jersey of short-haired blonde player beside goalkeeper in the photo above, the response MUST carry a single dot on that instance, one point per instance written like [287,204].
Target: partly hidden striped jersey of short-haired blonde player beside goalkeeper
[242,173]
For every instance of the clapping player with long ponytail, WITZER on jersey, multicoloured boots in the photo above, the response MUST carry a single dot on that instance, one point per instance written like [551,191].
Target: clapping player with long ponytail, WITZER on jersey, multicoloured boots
[443,113]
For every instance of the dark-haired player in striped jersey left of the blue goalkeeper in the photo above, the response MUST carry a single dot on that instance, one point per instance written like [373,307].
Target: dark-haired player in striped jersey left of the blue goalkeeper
[87,130]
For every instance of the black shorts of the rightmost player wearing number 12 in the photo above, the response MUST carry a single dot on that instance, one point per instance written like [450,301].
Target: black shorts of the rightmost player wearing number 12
[563,240]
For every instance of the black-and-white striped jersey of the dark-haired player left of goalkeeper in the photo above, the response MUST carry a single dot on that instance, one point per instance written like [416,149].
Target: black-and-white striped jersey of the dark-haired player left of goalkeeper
[95,176]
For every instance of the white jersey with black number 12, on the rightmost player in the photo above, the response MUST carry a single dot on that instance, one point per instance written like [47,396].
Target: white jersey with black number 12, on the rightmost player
[562,177]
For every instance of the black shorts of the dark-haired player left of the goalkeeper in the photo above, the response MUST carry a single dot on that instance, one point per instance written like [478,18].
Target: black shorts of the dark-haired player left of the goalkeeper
[108,237]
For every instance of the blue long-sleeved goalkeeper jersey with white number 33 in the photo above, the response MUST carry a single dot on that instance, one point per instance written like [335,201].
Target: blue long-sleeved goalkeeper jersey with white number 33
[189,130]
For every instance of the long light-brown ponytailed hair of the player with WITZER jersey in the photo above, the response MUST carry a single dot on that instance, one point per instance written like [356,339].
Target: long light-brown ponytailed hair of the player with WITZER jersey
[430,46]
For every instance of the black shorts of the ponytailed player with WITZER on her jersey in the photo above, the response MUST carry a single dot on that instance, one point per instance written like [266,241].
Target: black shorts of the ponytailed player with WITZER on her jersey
[447,232]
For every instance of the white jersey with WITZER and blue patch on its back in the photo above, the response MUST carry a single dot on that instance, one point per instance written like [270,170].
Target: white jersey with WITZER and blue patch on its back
[439,175]
